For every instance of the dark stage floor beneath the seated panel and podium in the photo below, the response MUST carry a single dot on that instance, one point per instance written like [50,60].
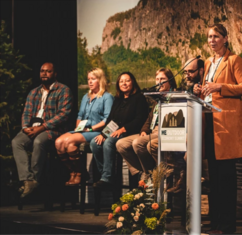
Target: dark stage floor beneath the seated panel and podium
[33,220]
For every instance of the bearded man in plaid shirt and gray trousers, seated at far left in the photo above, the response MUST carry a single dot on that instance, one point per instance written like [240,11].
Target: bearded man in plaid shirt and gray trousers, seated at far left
[44,118]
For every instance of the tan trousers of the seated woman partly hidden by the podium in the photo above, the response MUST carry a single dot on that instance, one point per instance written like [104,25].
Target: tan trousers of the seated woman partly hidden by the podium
[139,152]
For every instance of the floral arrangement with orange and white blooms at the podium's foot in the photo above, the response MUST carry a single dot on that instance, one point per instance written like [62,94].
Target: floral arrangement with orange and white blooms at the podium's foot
[137,212]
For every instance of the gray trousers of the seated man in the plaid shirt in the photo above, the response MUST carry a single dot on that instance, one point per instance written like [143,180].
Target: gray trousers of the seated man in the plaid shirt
[30,169]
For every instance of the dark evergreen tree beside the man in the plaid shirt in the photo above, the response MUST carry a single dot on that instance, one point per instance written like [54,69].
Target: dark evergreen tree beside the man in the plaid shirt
[14,88]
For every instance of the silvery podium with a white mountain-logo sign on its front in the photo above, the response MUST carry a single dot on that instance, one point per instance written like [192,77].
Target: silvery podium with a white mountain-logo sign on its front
[193,124]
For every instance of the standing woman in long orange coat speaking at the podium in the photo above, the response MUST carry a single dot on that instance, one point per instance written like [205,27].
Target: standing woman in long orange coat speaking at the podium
[222,86]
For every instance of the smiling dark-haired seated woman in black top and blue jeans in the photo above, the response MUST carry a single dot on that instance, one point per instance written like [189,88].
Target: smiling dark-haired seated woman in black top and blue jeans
[129,112]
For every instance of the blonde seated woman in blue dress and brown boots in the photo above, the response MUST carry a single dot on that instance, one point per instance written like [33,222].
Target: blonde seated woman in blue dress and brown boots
[94,110]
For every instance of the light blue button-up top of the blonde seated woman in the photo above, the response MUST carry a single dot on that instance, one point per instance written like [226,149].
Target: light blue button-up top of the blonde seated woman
[97,110]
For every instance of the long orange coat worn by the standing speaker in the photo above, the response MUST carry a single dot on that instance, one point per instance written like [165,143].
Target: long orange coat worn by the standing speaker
[228,123]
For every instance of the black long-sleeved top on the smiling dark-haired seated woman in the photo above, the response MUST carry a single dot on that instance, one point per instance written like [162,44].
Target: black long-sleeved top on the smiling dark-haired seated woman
[129,113]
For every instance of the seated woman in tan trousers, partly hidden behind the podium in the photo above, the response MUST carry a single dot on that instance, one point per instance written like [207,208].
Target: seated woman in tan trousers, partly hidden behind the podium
[140,150]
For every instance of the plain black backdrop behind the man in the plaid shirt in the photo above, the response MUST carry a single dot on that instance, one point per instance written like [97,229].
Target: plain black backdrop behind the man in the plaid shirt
[45,31]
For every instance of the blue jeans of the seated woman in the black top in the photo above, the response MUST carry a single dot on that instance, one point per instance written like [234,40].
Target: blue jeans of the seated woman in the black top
[104,156]
